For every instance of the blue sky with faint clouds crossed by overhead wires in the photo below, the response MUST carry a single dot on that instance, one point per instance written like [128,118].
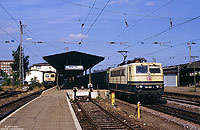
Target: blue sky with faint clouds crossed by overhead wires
[58,26]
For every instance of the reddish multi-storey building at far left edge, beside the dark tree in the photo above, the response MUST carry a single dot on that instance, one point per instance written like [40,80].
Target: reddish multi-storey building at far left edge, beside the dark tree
[5,65]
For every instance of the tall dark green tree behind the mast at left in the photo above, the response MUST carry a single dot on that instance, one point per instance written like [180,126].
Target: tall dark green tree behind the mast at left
[15,65]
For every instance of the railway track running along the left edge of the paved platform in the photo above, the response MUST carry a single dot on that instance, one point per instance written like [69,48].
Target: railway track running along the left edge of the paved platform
[8,108]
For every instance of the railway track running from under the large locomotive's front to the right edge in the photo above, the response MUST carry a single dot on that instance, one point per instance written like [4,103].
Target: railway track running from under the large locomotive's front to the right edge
[183,114]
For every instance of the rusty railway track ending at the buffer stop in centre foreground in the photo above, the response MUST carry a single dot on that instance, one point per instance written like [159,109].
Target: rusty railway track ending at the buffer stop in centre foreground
[100,119]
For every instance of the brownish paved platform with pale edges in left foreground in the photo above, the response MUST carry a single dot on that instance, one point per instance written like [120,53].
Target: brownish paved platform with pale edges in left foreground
[50,111]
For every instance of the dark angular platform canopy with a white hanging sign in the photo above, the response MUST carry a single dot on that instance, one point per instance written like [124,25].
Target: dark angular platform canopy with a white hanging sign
[72,63]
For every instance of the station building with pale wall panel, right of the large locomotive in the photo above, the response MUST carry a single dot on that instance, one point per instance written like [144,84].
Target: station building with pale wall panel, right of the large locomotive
[182,74]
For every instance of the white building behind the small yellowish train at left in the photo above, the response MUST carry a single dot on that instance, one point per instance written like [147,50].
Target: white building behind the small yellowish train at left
[37,70]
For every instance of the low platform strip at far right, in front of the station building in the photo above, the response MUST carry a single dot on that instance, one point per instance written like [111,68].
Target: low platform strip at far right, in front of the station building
[183,90]
